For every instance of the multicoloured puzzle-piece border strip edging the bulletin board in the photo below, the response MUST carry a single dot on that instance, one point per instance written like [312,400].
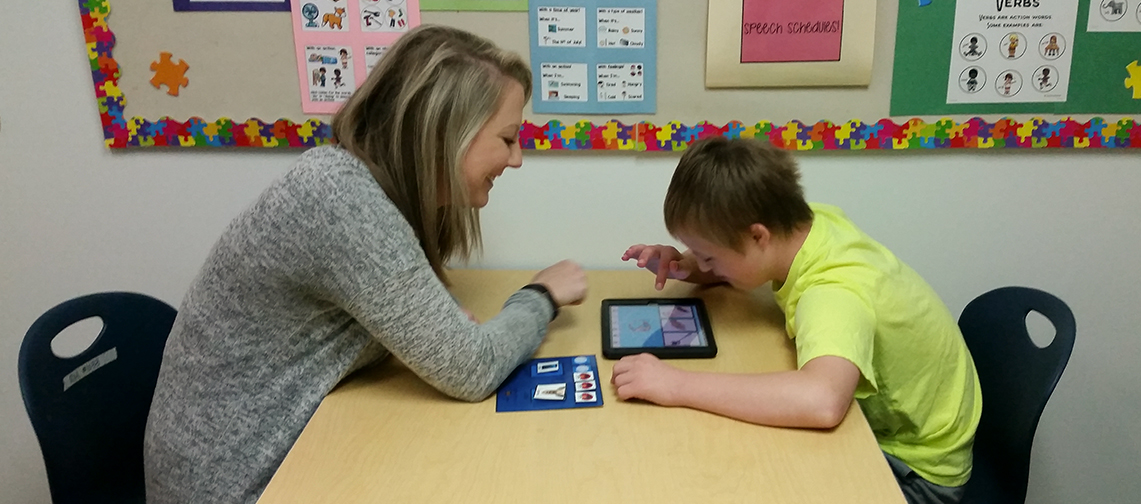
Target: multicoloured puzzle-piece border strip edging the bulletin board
[585,135]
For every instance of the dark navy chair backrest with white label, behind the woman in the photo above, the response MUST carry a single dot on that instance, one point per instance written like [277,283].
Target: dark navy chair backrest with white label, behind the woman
[90,411]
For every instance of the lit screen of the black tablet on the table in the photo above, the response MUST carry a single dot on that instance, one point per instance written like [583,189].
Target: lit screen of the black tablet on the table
[657,327]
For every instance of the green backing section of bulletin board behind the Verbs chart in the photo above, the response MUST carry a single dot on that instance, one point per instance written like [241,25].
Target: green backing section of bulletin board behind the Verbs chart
[924,39]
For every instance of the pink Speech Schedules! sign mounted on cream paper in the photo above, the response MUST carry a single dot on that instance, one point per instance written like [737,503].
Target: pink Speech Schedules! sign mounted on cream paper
[791,31]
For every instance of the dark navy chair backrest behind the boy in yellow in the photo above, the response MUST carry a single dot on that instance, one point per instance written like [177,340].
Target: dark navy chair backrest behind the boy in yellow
[1017,379]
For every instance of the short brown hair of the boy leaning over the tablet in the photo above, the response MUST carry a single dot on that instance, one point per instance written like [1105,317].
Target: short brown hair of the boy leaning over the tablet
[724,186]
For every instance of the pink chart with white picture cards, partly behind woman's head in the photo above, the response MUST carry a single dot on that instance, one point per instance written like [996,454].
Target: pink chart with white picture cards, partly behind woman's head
[339,42]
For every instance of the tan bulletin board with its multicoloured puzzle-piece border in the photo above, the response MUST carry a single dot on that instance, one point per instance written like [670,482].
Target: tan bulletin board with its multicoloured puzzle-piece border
[244,92]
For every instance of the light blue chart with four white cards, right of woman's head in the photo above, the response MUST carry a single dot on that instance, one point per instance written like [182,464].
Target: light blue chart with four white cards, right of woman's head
[594,56]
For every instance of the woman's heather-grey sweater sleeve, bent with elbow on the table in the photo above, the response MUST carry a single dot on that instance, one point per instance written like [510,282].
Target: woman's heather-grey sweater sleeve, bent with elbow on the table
[366,259]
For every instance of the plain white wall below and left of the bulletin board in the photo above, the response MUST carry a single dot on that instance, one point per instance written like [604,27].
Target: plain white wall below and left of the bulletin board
[77,220]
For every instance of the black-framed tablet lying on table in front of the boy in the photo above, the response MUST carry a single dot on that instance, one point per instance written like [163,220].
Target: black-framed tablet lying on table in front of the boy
[670,329]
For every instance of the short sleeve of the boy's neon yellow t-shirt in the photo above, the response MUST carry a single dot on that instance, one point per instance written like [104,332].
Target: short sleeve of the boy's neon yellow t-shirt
[834,321]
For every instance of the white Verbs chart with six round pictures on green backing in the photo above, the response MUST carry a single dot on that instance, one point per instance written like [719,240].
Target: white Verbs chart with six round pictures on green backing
[1011,52]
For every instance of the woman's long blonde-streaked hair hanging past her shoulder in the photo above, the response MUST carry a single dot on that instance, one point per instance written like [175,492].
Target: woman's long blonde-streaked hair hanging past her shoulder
[412,123]
